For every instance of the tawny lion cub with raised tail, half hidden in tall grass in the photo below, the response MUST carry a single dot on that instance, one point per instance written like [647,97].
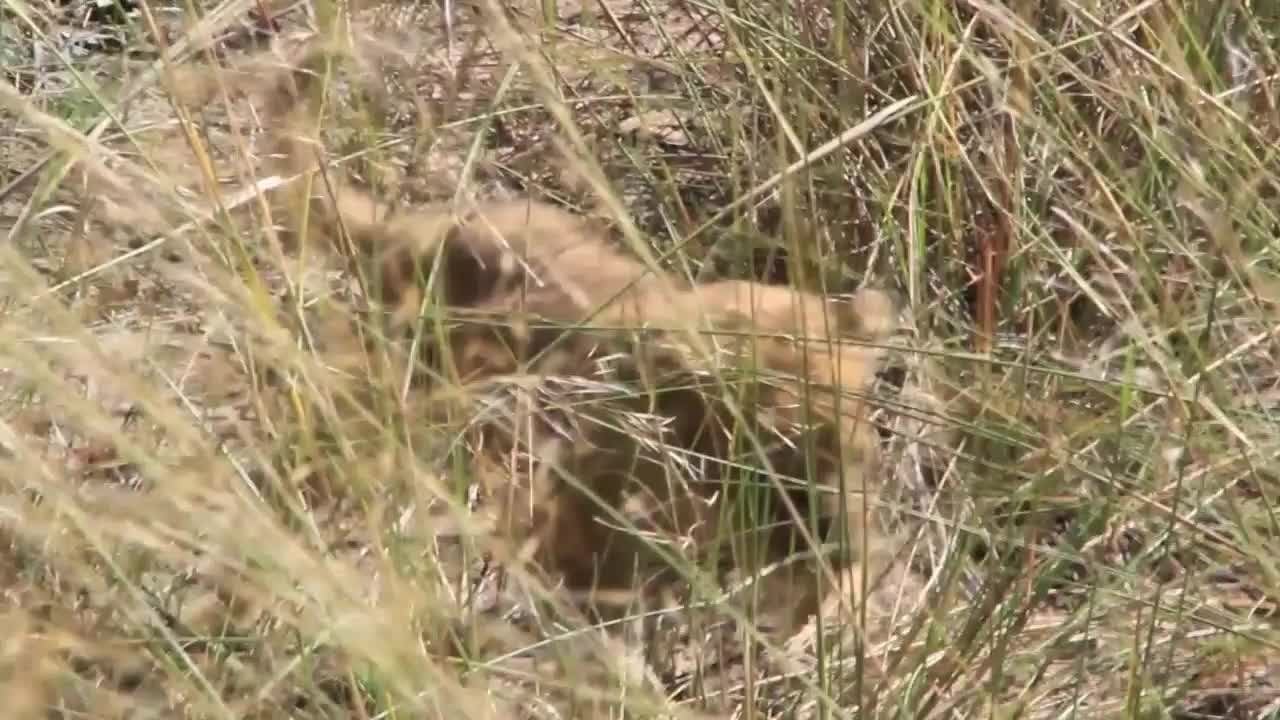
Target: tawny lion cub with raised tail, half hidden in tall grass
[630,420]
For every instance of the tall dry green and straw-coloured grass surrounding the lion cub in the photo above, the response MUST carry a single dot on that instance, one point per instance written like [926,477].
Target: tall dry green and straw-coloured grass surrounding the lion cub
[214,504]
